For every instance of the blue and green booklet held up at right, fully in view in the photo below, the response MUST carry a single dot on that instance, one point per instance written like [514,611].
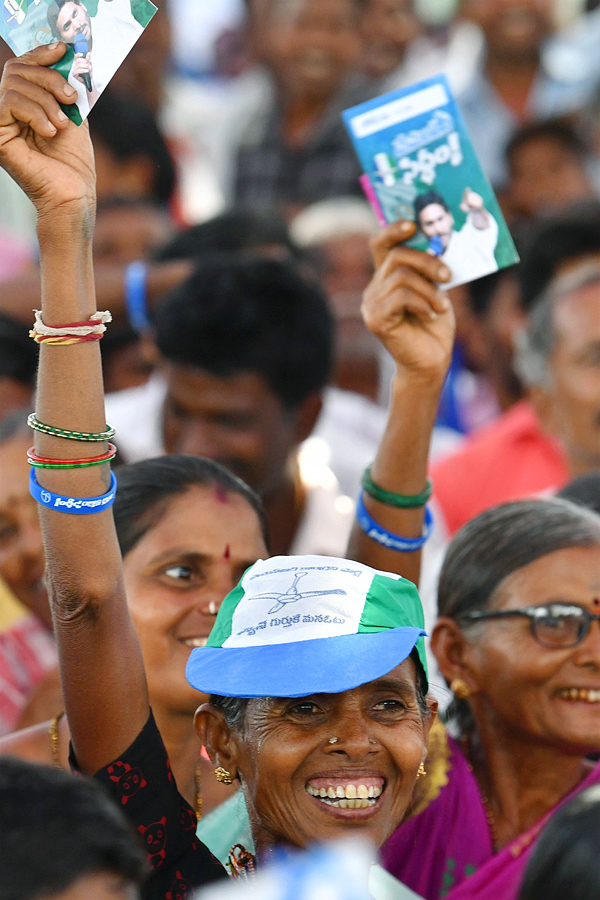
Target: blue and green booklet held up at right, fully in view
[419,164]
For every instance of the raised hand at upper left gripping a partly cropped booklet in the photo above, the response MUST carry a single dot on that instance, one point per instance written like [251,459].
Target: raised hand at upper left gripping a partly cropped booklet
[49,156]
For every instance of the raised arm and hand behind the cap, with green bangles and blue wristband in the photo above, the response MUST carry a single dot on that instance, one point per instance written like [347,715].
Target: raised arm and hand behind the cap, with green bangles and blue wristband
[414,320]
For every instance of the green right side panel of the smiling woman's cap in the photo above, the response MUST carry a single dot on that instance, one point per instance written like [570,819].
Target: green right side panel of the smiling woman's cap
[384,609]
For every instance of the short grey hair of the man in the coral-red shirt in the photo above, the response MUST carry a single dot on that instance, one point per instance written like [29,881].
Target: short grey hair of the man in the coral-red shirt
[535,343]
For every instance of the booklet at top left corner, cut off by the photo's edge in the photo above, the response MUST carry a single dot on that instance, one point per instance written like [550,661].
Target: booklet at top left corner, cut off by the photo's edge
[99,34]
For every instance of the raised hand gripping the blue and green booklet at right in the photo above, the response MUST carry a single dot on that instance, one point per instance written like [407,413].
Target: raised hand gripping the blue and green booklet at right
[404,307]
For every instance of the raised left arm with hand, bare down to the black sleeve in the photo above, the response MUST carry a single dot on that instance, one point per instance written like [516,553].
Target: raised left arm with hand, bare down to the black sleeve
[102,672]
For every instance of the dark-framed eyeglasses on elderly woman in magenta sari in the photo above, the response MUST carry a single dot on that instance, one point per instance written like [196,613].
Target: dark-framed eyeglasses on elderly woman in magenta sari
[554,625]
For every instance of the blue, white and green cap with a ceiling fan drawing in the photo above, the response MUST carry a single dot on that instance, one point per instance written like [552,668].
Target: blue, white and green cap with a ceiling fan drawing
[300,625]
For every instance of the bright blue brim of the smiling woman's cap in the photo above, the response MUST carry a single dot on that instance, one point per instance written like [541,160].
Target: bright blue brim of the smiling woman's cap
[320,666]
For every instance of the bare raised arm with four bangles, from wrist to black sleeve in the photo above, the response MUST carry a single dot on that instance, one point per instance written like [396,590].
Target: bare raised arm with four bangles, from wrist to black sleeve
[101,667]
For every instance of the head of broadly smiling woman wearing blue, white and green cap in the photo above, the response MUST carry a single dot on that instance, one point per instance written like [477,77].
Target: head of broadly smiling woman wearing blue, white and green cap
[332,735]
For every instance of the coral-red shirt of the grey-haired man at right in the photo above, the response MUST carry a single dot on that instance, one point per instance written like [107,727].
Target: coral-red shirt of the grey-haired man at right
[509,459]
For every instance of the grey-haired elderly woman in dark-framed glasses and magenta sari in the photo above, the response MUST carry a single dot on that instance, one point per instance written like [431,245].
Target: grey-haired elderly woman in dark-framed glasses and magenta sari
[518,641]
